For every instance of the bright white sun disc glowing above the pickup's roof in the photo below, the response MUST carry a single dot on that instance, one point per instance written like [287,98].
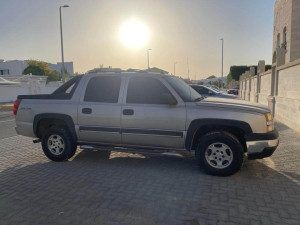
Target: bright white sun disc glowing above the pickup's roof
[134,34]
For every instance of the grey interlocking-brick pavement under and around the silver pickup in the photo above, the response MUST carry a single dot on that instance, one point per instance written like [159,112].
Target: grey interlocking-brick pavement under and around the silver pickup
[134,189]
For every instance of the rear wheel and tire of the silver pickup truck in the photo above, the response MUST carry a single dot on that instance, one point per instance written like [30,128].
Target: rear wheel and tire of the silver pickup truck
[60,136]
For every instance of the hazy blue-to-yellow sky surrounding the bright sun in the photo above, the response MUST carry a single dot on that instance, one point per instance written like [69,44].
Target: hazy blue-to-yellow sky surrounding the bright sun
[178,29]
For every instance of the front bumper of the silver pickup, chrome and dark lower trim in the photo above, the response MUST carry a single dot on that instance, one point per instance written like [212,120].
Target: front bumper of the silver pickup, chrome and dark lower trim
[262,145]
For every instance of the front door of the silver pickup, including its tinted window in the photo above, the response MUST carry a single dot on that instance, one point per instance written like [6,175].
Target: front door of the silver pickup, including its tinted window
[147,119]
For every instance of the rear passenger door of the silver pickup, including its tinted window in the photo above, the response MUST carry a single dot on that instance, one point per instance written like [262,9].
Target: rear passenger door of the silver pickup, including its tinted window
[99,111]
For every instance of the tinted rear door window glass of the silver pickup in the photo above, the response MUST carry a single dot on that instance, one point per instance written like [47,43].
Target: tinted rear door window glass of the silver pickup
[103,89]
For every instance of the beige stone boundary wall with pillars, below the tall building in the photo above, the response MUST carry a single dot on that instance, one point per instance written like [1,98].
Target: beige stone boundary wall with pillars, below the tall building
[278,88]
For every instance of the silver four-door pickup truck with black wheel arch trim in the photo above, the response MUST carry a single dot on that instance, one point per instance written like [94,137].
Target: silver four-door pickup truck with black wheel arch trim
[143,112]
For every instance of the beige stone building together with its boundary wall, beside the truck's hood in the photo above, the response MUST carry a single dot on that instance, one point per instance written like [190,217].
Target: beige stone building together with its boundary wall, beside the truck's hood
[279,88]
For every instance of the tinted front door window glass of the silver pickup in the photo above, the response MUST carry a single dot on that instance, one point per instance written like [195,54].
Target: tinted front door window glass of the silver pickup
[146,90]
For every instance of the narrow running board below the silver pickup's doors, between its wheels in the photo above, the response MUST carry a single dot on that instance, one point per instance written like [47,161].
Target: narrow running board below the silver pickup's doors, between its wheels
[132,150]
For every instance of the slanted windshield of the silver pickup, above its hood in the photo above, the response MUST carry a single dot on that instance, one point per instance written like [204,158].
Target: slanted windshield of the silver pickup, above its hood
[187,93]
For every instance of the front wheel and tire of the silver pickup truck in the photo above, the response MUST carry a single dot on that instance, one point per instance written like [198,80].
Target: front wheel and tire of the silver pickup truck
[215,140]
